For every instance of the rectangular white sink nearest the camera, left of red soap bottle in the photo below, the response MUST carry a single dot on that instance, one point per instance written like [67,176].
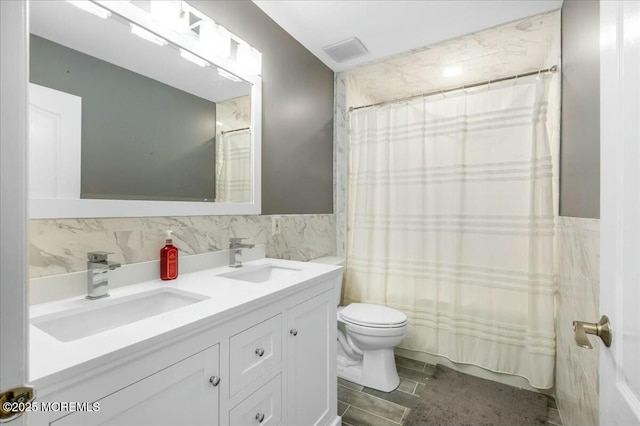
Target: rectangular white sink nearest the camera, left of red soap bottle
[106,314]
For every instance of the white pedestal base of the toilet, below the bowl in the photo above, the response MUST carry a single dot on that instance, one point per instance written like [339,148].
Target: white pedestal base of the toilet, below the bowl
[376,370]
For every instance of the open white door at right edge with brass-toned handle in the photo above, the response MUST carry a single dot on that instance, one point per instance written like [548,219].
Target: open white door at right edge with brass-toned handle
[620,210]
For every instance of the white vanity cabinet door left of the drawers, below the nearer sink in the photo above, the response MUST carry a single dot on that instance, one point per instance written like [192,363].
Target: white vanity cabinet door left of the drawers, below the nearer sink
[177,395]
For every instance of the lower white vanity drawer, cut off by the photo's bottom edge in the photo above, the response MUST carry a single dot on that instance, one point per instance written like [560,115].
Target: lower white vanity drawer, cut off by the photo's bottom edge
[263,407]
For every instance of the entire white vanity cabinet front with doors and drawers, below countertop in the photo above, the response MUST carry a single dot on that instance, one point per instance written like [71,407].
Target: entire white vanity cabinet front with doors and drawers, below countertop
[271,362]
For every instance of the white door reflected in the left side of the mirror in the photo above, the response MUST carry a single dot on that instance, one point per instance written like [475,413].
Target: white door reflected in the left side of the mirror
[55,127]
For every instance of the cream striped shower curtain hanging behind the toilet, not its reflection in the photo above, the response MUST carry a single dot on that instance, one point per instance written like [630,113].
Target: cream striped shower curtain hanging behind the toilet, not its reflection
[451,219]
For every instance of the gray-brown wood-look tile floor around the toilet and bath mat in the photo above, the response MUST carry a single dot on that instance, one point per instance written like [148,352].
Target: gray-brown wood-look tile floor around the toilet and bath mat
[362,406]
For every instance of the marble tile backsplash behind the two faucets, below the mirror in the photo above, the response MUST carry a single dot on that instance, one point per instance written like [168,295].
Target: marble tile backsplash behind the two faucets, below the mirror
[58,246]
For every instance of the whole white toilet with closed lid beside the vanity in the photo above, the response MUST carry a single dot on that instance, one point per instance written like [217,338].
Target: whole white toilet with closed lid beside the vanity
[367,335]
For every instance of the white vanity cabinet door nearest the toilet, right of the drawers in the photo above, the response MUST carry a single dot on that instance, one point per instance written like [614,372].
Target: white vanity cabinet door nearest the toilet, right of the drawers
[311,360]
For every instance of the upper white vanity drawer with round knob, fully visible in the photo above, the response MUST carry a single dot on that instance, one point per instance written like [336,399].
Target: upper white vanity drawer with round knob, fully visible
[253,352]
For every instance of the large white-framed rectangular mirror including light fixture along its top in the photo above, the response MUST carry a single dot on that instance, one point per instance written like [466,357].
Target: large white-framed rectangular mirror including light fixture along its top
[131,117]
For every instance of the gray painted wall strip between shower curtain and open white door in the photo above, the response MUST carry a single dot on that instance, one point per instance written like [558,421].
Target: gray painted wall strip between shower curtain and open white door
[580,143]
